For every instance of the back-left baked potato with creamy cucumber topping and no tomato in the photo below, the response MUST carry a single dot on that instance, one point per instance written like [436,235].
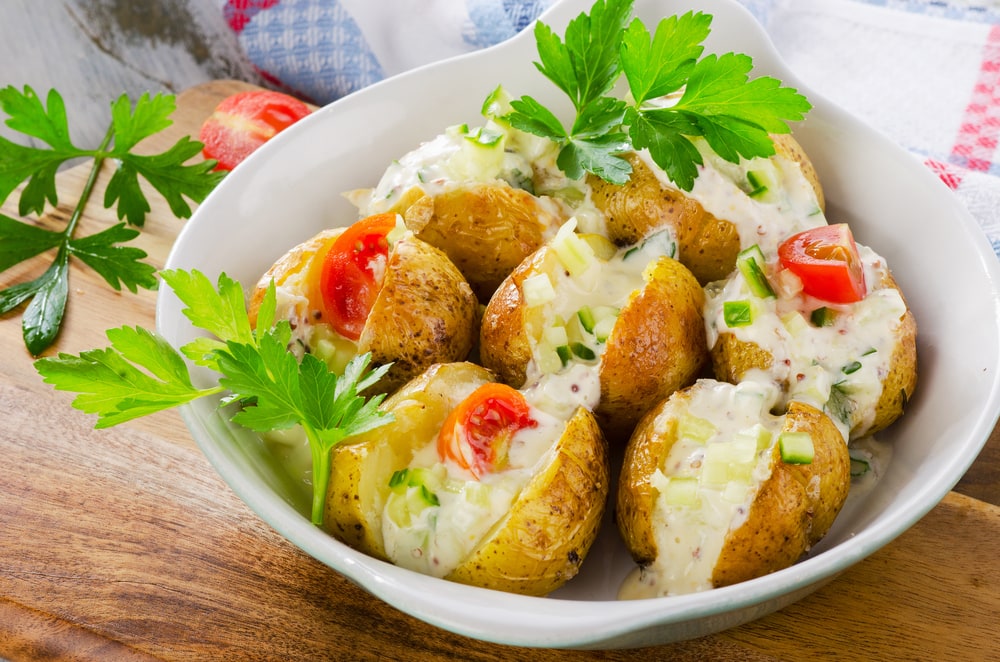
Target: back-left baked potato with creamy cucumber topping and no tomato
[471,193]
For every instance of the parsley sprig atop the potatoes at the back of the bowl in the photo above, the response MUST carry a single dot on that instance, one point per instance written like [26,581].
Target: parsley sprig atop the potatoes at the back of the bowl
[674,94]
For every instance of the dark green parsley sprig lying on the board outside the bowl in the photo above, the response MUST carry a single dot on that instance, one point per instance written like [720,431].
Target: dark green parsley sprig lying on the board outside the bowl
[105,252]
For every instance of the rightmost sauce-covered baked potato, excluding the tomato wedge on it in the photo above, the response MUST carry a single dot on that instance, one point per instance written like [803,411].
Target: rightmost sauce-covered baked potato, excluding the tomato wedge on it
[857,360]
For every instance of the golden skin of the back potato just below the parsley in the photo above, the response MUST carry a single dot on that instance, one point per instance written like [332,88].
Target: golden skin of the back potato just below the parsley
[705,244]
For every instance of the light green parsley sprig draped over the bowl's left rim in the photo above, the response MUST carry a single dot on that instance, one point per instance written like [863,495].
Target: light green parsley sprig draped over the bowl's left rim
[141,373]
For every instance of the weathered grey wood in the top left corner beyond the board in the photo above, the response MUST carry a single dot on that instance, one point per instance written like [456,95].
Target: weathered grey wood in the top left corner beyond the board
[94,50]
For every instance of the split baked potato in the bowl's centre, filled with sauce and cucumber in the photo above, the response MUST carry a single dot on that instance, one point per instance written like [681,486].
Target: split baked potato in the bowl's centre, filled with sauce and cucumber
[631,317]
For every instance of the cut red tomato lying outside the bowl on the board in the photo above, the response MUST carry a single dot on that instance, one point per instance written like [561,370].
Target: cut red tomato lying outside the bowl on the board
[244,121]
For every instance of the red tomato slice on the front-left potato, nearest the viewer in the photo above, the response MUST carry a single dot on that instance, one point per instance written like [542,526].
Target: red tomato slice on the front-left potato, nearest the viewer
[476,435]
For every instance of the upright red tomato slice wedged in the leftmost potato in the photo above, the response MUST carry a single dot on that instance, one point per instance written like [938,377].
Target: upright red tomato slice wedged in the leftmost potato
[352,273]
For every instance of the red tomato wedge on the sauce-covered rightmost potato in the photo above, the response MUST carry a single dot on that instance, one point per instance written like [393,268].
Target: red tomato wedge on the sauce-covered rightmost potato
[826,260]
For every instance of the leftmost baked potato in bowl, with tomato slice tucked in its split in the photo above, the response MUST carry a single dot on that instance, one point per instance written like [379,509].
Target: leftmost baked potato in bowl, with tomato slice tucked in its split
[400,299]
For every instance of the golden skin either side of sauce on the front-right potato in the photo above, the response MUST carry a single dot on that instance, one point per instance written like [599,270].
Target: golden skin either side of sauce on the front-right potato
[793,509]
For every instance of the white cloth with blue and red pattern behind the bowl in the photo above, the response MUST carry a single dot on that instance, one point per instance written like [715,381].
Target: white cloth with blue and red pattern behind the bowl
[924,72]
